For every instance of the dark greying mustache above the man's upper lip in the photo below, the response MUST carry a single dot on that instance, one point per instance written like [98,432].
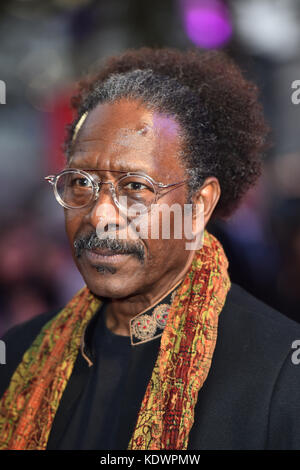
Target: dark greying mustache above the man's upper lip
[91,241]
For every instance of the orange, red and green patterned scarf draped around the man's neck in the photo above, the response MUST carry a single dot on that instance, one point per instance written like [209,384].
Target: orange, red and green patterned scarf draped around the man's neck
[29,405]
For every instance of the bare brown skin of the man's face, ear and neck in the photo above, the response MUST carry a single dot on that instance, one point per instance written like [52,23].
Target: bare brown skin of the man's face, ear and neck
[126,135]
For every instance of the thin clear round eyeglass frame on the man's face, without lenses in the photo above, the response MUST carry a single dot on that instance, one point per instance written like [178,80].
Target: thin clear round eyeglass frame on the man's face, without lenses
[52,179]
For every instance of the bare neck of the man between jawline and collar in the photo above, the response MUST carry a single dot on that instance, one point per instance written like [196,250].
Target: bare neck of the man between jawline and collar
[119,312]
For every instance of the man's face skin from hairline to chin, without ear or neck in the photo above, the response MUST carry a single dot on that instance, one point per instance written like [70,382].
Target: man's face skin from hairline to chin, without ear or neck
[127,136]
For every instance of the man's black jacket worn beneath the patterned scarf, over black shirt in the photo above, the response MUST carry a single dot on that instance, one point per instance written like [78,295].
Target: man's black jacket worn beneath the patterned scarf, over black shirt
[250,399]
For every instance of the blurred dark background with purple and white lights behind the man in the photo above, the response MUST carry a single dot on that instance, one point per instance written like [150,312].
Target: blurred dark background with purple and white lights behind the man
[46,45]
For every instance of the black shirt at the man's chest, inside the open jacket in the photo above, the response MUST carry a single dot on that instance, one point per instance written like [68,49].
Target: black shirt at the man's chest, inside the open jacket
[95,416]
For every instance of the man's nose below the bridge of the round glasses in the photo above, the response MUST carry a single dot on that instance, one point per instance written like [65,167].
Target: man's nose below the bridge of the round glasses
[104,215]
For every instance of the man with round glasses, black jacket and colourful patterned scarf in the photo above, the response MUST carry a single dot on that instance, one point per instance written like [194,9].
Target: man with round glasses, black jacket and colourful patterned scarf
[159,350]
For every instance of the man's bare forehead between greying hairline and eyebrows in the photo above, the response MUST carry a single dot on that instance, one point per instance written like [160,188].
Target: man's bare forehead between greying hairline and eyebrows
[126,135]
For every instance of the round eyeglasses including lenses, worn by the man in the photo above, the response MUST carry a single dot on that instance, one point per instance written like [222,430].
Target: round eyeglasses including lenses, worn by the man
[75,189]
